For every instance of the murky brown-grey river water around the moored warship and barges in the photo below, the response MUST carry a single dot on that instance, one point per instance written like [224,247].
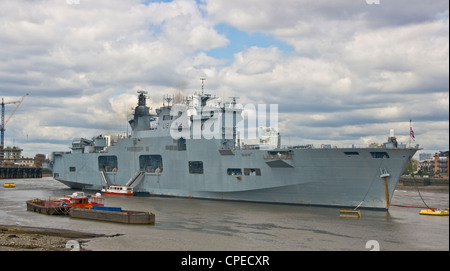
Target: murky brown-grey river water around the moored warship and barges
[208,225]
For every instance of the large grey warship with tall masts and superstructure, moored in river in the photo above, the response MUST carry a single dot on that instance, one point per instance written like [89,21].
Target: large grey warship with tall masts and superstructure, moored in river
[171,153]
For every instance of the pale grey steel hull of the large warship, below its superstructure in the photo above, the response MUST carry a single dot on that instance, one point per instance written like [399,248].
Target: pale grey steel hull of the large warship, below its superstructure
[325,177]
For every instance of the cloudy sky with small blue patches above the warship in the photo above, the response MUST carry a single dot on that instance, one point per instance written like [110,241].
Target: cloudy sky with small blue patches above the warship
[342,72]
